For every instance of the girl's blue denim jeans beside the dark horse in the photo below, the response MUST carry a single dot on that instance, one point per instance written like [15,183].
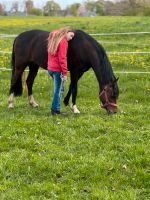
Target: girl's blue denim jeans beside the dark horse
[58,88]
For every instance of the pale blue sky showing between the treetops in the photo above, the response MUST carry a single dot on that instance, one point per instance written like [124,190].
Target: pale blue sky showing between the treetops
[41,3]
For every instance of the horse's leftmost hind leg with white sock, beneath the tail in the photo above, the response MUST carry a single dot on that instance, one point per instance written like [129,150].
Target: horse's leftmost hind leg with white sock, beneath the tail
[16,85]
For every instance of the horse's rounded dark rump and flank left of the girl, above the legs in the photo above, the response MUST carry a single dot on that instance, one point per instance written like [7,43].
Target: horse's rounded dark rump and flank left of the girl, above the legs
[31,46]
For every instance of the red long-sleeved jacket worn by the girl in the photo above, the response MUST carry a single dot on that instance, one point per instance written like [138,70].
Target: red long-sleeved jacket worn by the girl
[58,62]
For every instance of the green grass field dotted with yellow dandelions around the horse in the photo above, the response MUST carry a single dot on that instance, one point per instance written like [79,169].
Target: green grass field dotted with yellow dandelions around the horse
[89,156]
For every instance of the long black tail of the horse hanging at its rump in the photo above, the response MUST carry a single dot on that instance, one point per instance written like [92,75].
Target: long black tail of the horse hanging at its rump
[16,86]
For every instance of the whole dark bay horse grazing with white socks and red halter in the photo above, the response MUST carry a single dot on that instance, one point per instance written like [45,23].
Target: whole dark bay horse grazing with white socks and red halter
[84,52]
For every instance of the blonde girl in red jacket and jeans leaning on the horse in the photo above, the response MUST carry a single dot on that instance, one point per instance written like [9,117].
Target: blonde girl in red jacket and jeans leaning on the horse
[57,62]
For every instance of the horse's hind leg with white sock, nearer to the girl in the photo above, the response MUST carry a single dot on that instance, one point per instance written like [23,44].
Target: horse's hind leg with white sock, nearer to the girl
[33,69]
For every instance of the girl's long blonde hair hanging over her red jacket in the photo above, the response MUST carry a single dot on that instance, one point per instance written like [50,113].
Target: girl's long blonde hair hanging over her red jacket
[55,37]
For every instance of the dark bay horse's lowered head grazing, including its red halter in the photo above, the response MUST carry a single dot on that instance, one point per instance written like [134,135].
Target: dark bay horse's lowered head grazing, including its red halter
[109,95]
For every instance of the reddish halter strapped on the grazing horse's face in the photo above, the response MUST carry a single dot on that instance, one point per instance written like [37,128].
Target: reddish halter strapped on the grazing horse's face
[107,102]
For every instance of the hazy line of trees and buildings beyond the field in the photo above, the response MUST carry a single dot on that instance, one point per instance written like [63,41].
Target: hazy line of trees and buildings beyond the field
[88,8]
